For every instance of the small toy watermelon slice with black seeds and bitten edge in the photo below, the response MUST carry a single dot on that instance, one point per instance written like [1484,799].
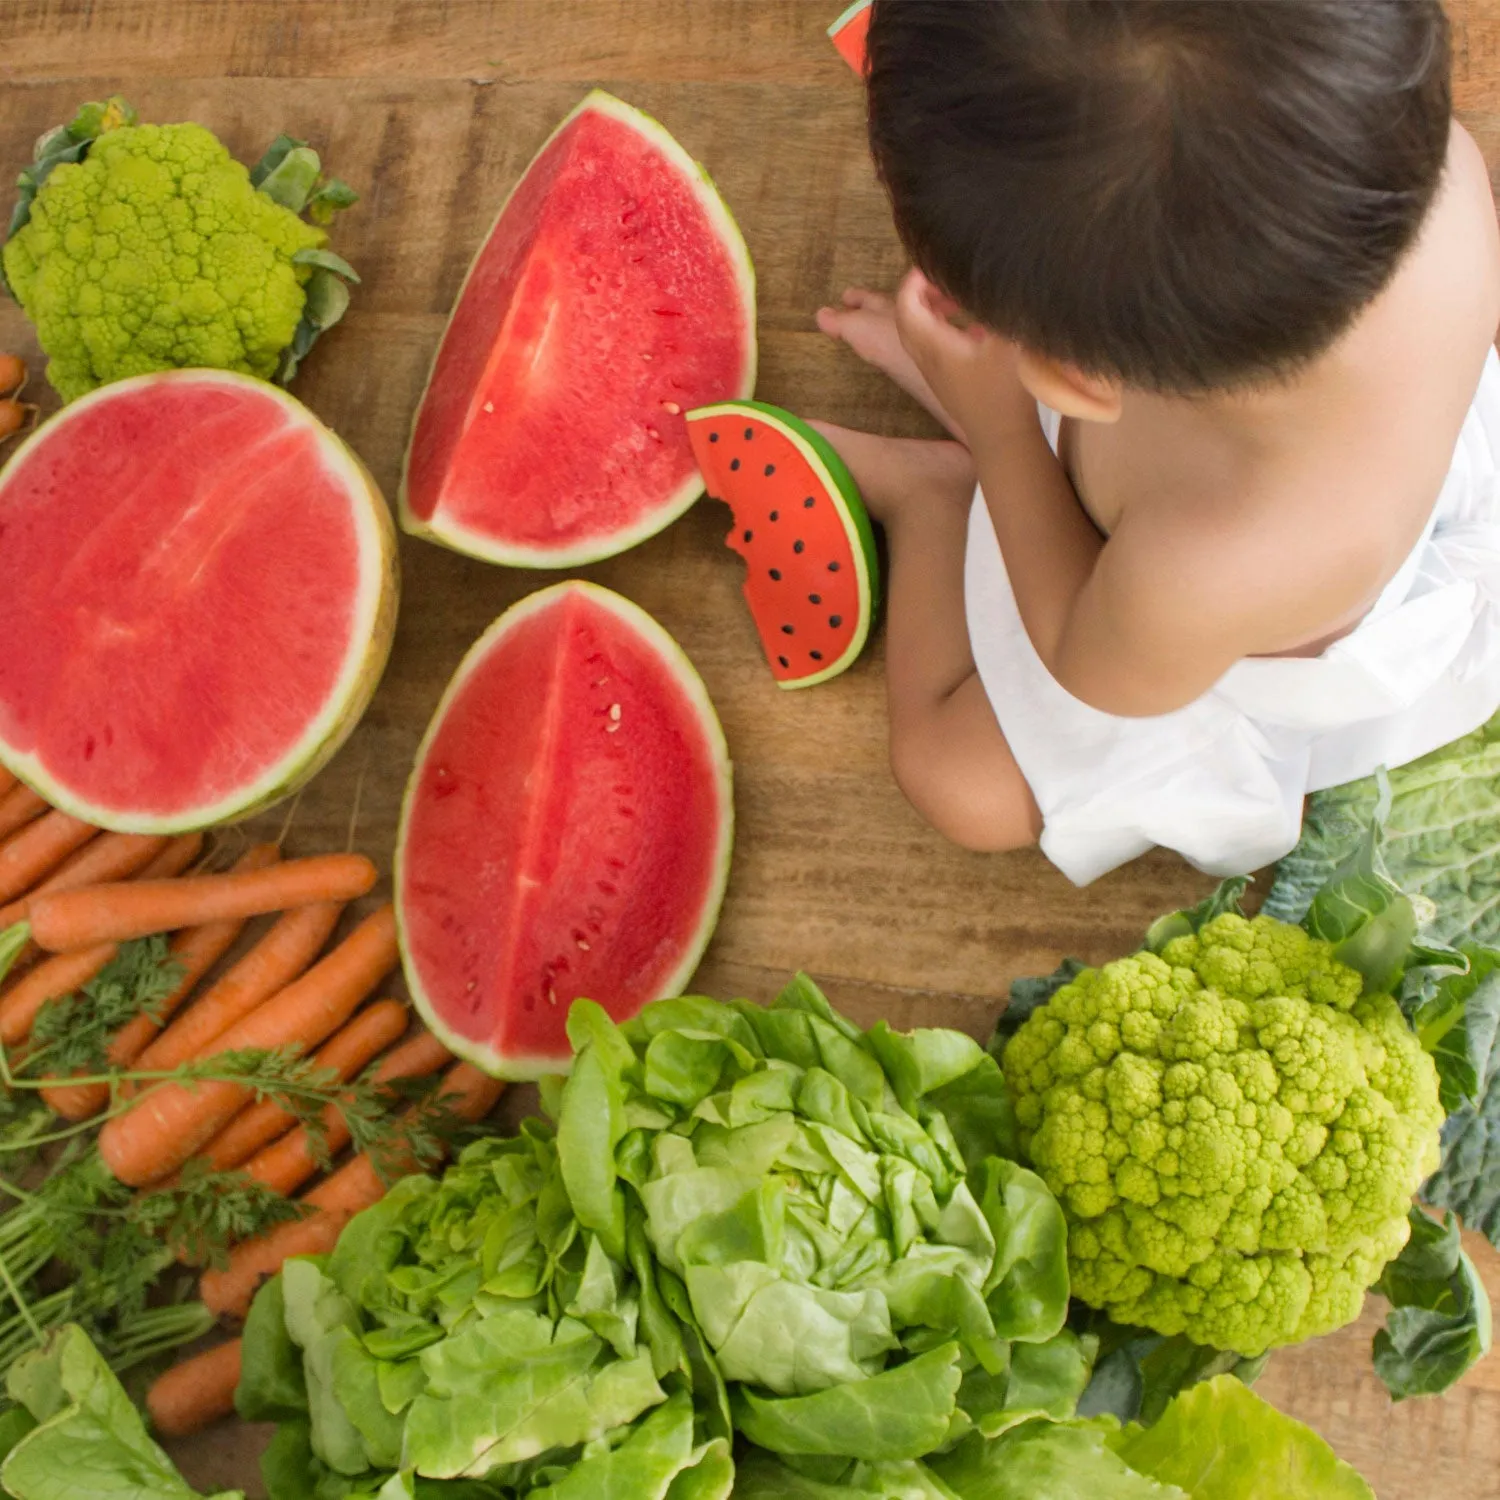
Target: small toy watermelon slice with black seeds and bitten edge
[812,580]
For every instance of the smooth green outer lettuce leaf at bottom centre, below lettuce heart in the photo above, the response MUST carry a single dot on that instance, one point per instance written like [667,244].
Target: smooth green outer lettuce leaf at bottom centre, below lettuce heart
[904,1412]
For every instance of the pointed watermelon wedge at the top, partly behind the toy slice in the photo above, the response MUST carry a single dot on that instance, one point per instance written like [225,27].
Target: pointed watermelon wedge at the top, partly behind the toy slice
[613,295]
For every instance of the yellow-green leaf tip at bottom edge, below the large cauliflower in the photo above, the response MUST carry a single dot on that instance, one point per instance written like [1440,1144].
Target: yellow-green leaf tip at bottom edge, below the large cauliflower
[1220,1442]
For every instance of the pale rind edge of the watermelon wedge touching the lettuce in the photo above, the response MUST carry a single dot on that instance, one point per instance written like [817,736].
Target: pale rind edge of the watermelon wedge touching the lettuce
[529,1067]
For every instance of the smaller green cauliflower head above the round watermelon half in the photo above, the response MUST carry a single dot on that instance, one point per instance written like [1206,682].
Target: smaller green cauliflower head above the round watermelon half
[155,253]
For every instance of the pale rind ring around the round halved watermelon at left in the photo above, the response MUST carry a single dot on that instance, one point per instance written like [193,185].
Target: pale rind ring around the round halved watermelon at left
[371,632]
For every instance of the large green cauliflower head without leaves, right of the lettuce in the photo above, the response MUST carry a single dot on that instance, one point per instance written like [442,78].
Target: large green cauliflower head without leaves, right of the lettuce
[1234,1130]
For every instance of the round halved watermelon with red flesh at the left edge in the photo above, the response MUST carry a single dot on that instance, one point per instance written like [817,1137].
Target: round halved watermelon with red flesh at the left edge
[199,595]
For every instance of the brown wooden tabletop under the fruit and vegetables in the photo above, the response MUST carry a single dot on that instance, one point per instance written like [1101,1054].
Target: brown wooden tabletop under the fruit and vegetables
[431,109]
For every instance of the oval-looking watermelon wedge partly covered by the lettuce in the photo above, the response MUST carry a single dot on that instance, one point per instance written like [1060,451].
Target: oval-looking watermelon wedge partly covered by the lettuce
[566,830]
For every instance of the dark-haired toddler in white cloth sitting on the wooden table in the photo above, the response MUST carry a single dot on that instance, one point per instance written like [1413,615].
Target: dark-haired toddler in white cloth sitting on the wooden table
[1207,296]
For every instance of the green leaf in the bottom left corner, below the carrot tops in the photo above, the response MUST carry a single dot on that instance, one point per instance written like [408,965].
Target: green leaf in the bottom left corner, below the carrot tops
[91,1442]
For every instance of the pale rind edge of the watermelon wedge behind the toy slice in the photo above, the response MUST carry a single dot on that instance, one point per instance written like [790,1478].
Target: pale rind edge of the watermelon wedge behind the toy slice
[727,232]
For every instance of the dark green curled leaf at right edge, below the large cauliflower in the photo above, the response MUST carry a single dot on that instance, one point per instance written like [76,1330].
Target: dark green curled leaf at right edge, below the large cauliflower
[1439,1322]
